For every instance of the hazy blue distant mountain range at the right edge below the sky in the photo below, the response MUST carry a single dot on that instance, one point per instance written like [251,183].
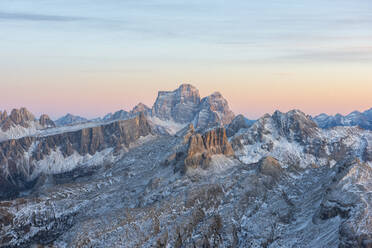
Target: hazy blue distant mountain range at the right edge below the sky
[356,118]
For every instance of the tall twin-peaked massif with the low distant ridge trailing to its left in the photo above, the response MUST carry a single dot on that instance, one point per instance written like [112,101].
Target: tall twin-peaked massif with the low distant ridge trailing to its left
[183,105]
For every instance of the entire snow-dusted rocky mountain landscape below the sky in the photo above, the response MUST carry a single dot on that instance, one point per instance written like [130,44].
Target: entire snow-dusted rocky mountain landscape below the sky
[186,172]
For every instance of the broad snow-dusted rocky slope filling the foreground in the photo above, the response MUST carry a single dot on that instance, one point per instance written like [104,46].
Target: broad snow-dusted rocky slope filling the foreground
[140,201]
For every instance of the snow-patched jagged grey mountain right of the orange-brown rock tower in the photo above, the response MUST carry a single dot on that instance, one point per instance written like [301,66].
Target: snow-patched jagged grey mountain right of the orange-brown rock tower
[294,139]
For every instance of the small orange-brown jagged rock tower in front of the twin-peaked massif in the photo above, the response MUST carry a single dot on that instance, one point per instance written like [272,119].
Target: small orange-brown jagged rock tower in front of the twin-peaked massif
[202,147]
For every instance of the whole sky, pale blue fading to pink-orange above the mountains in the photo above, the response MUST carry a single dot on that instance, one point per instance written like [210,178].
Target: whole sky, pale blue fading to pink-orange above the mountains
[91,57]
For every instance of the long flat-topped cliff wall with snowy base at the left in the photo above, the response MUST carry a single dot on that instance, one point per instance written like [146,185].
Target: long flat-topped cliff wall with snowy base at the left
[20,160]
